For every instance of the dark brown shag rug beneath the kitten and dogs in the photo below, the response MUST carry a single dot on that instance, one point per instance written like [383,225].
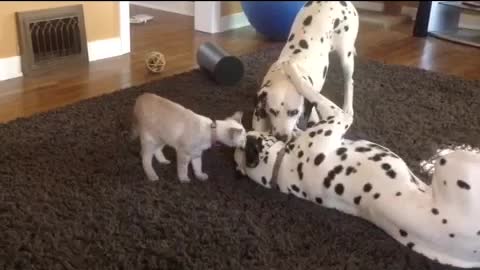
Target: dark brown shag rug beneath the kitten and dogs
[73,194]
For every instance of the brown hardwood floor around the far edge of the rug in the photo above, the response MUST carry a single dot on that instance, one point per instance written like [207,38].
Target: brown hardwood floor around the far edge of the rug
[173,35]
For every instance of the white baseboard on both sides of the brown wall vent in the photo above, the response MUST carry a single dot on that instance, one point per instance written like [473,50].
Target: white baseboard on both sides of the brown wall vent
[11,67]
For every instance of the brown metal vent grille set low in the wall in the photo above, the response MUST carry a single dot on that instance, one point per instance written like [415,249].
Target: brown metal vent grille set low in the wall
[52,38]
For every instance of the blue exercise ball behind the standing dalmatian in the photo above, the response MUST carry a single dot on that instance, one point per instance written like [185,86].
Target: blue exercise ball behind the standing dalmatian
[273,19]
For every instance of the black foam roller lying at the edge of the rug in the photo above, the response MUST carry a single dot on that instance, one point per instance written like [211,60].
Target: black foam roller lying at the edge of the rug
[220,65]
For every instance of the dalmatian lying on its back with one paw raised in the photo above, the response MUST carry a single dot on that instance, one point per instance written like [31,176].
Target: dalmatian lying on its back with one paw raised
[369,181]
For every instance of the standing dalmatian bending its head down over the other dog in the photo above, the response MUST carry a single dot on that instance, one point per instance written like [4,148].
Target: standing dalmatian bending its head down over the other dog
[319,28]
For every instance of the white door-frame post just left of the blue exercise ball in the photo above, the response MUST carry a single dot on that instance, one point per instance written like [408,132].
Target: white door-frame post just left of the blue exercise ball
[207,16]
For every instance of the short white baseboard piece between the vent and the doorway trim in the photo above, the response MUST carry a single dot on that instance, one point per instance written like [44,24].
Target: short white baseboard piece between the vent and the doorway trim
[105,48]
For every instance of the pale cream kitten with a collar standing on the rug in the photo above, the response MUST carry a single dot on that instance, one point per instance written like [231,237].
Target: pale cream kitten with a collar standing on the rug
[159,122]
